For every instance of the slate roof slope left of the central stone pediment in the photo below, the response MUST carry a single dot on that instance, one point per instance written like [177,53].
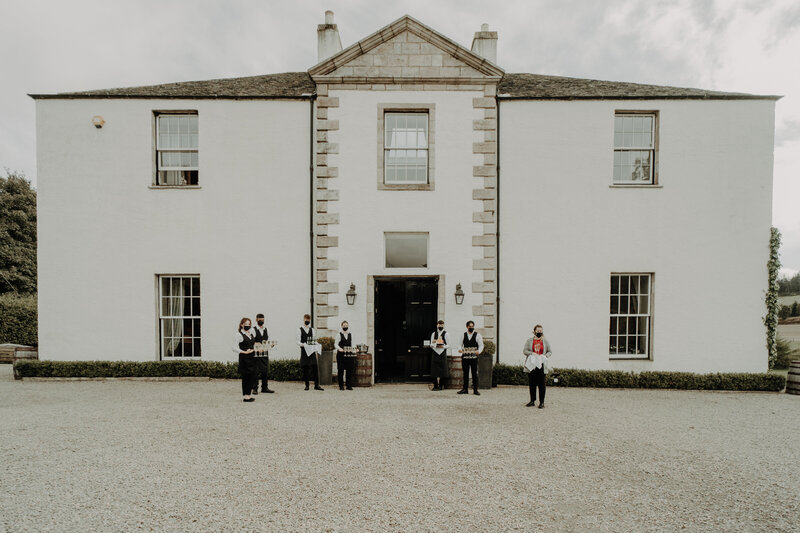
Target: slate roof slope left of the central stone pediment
[285,85]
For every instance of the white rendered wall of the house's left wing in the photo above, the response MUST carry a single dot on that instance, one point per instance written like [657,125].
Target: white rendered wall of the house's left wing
[104,234]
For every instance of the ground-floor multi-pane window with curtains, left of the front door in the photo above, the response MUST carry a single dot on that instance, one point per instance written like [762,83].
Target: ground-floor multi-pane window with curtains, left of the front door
[179,316]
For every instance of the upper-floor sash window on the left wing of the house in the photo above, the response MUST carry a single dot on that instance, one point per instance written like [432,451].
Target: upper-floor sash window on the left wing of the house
[176,149]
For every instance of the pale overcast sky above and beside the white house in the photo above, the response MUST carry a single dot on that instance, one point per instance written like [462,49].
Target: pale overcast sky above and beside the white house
[727,45]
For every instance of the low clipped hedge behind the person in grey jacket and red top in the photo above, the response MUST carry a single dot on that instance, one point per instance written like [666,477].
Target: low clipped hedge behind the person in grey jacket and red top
[570,377]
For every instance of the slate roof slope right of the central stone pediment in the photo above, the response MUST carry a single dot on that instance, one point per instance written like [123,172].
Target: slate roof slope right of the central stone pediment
[540,87]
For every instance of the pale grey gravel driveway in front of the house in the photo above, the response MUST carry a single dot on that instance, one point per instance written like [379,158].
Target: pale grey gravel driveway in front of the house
[190,456]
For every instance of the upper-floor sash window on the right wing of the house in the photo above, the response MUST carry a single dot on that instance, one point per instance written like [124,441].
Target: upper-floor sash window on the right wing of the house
[635,137]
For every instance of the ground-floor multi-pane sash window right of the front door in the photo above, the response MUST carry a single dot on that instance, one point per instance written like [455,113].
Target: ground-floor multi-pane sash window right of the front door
[631,312]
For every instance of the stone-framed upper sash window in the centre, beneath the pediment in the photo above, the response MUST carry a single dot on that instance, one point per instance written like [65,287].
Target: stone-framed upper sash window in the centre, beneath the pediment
[406,146]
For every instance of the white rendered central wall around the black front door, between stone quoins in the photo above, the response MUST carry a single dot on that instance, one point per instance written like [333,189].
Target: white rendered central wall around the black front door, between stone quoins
[366,212]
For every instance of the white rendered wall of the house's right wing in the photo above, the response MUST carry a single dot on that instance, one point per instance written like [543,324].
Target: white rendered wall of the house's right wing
[704,234]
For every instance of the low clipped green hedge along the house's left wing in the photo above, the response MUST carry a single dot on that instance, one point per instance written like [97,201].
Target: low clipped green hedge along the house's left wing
[279,370]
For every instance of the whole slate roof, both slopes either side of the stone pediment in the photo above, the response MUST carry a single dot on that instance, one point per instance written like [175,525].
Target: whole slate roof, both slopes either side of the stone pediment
[520,86]
